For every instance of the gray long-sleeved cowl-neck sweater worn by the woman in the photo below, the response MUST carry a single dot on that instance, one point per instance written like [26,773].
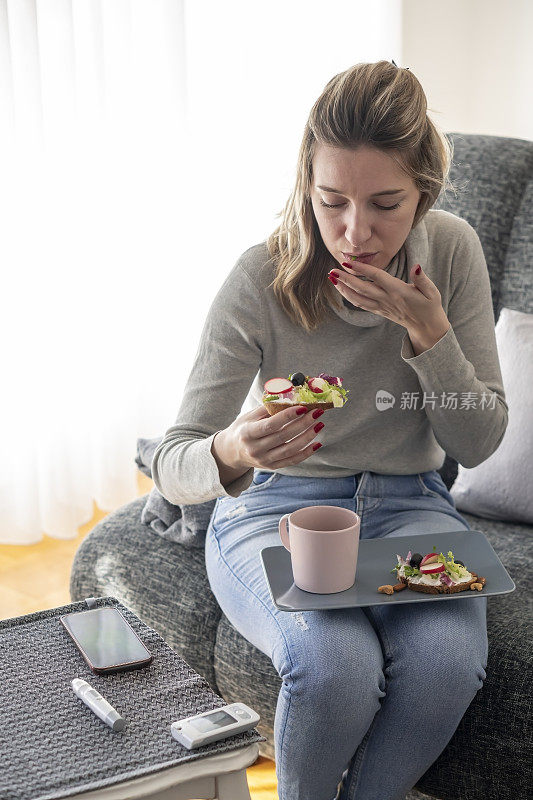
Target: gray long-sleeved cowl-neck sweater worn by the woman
[403,412]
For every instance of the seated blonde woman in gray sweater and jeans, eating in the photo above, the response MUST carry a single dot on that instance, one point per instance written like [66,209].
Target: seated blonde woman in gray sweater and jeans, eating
[374,692]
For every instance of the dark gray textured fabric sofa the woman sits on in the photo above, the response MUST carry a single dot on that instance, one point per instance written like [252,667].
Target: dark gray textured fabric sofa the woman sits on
[165,583]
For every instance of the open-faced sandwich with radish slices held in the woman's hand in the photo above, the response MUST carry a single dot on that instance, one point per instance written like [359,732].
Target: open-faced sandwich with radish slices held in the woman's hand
[323,391]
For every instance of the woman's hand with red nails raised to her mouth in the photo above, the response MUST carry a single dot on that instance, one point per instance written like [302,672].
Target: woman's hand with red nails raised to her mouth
[416,306]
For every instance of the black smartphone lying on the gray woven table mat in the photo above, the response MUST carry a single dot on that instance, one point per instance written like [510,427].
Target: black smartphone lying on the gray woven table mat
[106,640]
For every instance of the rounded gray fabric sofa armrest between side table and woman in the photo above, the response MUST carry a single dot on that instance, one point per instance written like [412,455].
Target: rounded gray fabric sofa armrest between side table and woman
[163,582]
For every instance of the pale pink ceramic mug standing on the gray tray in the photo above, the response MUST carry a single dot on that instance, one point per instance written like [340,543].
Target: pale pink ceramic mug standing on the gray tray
[323,542]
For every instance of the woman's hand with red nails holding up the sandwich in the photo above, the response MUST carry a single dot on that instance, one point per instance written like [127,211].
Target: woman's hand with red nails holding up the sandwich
[256,439]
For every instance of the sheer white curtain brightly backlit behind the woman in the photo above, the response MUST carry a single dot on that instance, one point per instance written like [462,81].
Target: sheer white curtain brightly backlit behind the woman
[144,145]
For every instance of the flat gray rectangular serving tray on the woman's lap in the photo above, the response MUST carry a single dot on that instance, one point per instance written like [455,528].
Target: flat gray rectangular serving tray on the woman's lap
[375,561]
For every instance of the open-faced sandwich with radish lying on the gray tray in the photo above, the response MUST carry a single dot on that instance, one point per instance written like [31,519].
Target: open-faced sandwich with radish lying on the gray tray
[432,574]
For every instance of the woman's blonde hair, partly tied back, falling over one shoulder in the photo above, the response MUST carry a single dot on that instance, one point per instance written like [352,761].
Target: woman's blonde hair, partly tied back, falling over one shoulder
[379,105]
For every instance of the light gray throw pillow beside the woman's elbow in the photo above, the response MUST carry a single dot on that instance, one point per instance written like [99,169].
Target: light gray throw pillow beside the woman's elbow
[501,486]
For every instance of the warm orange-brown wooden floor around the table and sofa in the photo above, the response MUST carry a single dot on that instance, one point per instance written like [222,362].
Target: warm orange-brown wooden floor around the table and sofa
[35,577]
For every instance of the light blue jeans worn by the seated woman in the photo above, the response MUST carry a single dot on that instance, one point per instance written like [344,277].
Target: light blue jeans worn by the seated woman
[374,692]
